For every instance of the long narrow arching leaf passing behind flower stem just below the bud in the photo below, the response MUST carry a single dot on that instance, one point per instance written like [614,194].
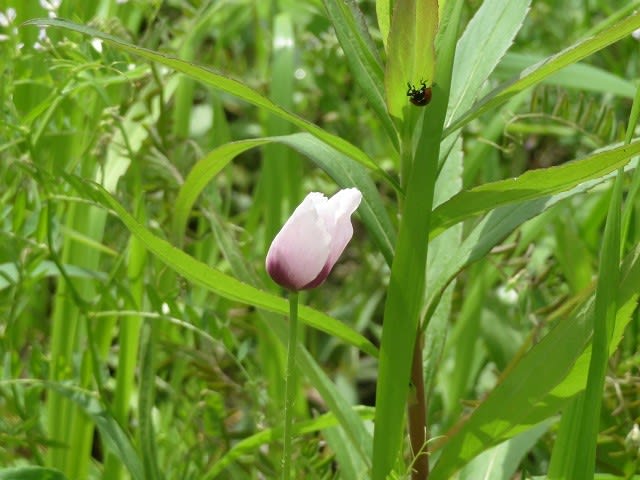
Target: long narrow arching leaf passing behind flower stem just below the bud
[216,281]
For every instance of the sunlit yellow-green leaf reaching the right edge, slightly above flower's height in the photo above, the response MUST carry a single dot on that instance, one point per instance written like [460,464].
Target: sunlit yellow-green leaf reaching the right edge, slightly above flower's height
[530,185]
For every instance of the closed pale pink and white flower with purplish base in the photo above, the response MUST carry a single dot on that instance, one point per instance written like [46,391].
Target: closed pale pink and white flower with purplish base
[313,238]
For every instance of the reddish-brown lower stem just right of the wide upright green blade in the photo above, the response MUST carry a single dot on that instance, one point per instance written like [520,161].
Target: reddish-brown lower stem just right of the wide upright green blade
[418,416]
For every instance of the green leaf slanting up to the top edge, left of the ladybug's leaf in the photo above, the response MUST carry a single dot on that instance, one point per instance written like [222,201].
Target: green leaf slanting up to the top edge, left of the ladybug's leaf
[361,54]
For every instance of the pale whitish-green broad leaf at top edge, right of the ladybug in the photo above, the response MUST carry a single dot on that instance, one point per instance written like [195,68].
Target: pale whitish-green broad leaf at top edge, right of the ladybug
[487,37]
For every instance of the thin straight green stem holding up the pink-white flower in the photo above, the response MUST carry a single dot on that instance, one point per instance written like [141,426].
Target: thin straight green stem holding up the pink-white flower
[290,384]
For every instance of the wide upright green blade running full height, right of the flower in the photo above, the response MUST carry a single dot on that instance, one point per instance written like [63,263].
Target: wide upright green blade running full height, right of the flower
[407,283]
